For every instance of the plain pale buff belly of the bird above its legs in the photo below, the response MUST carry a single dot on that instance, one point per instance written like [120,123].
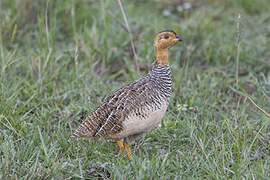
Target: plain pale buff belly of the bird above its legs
[136,124]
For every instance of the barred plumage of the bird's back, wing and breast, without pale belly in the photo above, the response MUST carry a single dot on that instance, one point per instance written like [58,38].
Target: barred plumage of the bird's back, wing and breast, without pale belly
[139,98]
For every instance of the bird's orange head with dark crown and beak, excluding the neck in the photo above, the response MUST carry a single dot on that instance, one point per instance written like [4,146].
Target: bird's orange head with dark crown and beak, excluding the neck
[166,39]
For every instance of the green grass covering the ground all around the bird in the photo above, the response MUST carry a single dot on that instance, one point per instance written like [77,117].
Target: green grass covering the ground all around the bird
[59,59]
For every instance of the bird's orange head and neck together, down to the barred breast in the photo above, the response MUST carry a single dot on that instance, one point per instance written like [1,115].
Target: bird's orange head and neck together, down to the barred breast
[163,41]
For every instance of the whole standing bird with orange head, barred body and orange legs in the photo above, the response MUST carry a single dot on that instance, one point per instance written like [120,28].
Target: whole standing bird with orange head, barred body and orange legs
[137,107]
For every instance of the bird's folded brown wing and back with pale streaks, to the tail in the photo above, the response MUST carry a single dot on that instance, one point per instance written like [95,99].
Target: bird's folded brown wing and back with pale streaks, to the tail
[106,119]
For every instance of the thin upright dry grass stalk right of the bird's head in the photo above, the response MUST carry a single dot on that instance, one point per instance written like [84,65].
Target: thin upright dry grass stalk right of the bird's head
[238,41]
